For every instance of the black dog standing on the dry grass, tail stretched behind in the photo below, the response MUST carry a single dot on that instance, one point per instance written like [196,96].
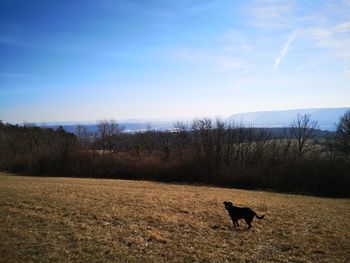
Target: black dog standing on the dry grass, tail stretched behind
[236,213]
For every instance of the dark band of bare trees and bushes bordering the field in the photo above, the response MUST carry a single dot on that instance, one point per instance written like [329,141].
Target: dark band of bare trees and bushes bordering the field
[204,151]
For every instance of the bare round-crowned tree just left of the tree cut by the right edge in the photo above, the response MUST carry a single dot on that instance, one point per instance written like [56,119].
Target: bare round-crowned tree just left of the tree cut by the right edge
[303,132]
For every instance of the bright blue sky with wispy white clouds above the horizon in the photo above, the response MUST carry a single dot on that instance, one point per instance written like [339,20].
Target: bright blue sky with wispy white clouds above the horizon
[86,60]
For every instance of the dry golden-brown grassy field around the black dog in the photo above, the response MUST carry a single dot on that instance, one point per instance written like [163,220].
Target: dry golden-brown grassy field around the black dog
[93,220]
